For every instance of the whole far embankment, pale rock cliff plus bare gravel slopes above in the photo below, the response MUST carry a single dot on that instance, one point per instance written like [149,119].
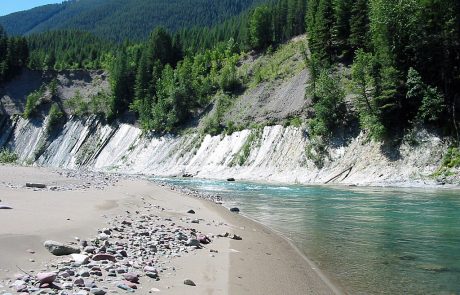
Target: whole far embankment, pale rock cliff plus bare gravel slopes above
[271,153]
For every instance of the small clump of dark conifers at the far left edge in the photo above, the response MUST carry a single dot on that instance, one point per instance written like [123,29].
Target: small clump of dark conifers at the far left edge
[14,54]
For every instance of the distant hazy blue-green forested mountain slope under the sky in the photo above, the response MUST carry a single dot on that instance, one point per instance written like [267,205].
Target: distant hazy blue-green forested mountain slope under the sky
[120,19]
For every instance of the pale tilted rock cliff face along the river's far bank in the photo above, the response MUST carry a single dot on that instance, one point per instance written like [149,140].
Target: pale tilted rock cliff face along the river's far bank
[272,153]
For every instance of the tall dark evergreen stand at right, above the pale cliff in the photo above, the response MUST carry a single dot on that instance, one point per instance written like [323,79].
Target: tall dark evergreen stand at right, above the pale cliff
[404,56]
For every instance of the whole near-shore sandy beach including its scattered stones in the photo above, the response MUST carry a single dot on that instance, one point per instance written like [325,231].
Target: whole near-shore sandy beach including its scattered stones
[76,207]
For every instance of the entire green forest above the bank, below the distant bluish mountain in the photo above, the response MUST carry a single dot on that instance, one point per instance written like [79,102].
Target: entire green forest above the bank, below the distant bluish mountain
[388,65]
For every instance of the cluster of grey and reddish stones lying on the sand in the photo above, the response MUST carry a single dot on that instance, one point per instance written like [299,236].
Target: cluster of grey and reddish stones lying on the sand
[132,246]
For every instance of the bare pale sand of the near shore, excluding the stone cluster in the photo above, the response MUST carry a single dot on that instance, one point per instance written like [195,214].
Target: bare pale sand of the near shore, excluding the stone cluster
[261,263]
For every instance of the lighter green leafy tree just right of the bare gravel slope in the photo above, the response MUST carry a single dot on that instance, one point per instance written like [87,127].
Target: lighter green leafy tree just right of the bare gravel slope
[329,106]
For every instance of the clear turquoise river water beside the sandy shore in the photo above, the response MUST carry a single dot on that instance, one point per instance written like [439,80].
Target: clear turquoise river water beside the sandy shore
[369,240]
